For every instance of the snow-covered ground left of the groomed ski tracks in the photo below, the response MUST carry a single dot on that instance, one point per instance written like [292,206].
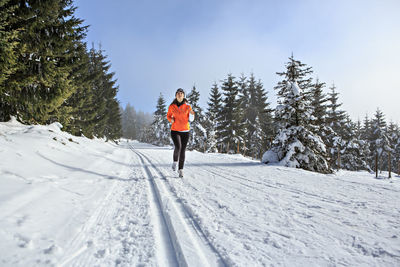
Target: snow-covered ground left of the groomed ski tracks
[70,203]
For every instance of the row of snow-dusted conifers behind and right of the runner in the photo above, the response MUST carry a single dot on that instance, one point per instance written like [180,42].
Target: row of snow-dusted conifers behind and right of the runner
[307,129]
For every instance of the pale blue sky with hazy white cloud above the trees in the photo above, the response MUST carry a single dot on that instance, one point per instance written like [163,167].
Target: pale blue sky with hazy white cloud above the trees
[158,46]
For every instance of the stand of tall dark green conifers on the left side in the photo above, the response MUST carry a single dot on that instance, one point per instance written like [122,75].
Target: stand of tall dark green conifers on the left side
[48,74]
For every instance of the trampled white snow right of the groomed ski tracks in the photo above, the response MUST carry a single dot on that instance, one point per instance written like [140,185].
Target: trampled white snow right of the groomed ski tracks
[270,214]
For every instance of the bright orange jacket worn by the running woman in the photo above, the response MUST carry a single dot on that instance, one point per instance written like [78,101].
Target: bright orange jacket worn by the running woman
[180,115]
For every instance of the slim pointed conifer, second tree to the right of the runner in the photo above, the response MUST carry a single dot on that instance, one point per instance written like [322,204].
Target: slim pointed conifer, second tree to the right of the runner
[213,116]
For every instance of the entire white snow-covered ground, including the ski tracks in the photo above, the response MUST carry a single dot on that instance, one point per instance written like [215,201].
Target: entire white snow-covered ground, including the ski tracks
[71,201]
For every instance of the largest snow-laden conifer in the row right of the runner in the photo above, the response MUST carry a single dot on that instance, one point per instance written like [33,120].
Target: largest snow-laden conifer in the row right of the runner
[295,144]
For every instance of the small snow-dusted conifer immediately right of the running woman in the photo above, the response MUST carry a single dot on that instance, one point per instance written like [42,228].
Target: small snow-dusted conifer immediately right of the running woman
[198,136]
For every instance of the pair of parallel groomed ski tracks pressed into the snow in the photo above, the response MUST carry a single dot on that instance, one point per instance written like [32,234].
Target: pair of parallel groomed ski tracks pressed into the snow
[192,246]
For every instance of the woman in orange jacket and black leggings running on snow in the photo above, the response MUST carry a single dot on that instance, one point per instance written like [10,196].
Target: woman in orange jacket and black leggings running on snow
[179,114]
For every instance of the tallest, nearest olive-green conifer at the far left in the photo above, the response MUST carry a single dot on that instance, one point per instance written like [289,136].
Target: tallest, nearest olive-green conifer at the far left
[50,43]
